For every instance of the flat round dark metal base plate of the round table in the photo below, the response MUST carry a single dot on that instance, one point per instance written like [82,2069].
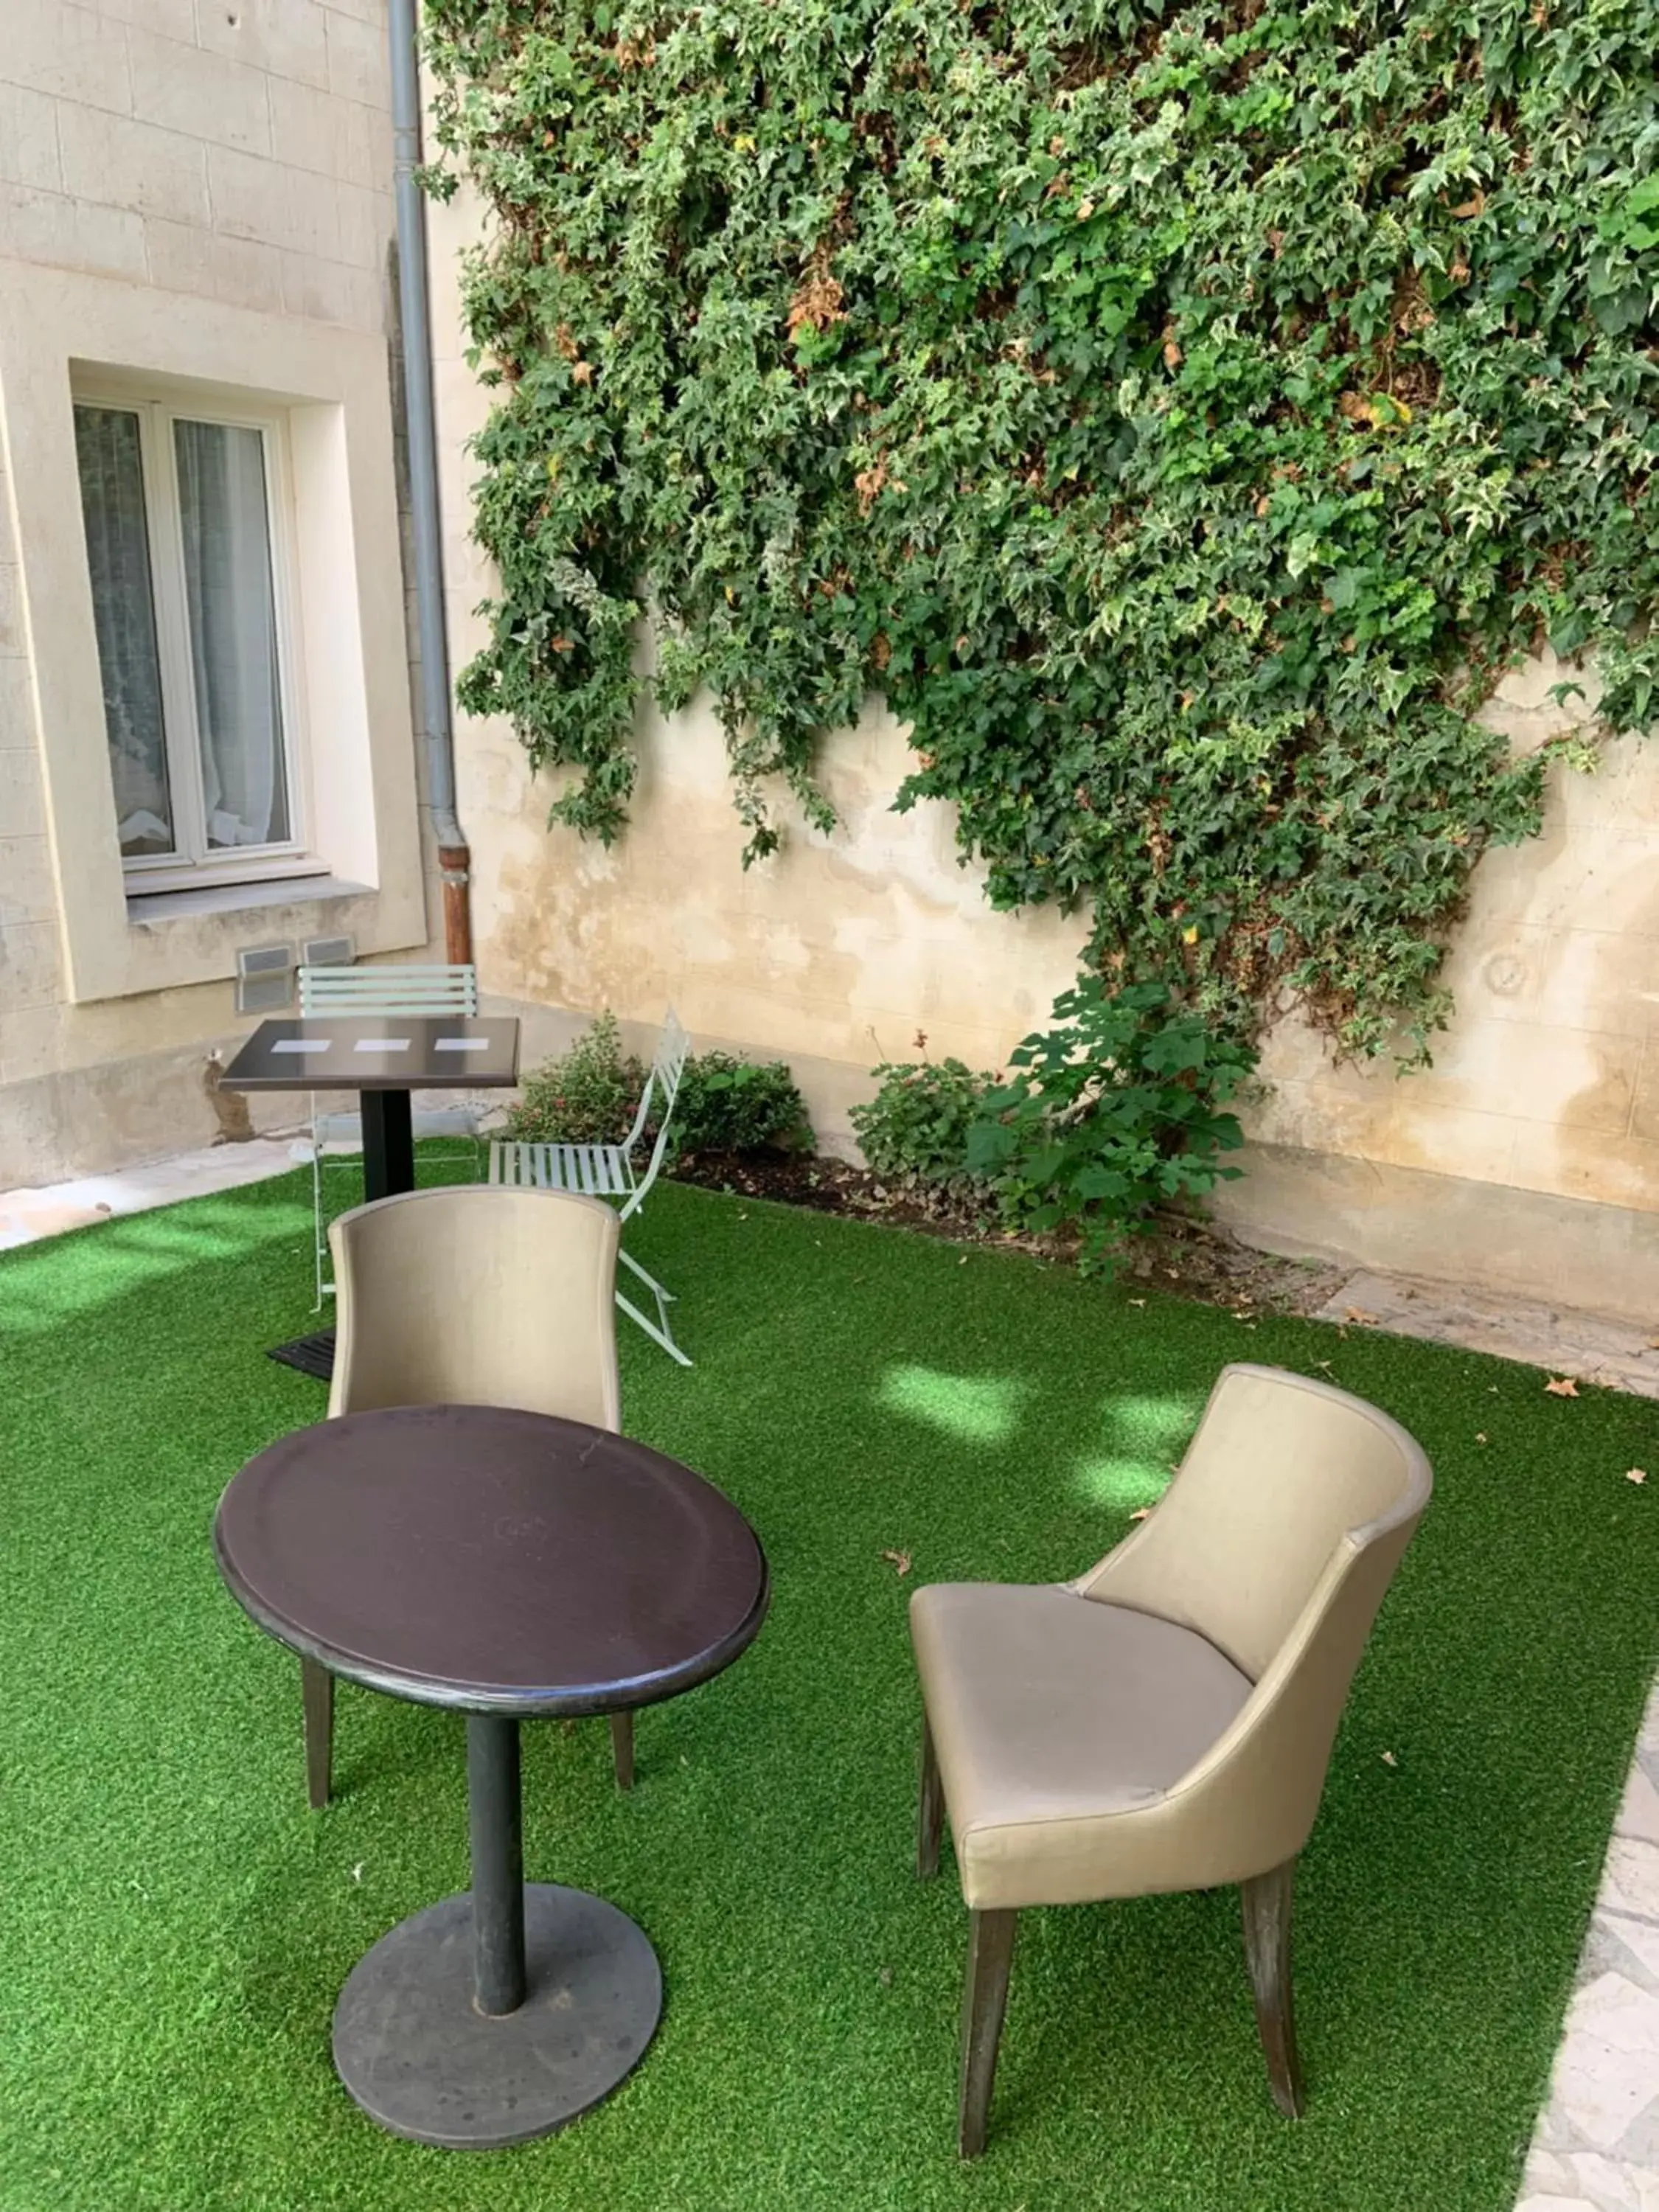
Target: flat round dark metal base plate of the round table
[419,2056]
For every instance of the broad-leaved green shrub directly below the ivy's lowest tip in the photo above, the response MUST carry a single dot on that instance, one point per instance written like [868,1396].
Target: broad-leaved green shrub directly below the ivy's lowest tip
[1109,1116]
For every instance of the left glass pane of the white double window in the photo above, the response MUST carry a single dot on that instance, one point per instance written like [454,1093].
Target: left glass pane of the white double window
[118,552]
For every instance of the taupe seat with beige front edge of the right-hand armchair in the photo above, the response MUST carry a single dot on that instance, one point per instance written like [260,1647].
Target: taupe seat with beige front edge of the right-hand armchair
[1054,1720]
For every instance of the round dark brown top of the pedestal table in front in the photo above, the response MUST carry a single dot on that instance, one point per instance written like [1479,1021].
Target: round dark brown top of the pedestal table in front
[494,1561]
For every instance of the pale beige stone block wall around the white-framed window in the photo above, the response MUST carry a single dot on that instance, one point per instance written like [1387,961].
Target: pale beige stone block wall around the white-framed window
[231,163]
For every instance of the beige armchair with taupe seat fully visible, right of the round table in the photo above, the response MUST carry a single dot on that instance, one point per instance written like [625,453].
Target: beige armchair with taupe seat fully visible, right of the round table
[1167,1720]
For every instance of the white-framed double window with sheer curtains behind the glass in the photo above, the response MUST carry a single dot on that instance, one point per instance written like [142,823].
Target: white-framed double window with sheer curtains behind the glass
[189,545]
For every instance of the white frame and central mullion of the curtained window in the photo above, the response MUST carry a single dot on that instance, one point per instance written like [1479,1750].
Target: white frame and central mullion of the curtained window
[194,864]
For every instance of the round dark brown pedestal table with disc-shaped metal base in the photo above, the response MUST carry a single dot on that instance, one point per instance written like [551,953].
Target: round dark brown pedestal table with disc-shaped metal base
[505,1565]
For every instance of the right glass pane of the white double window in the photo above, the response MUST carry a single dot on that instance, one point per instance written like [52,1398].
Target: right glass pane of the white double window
[231,607]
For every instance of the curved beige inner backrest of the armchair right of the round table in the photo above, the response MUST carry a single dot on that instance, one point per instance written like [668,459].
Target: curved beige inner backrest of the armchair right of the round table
[1280,1483]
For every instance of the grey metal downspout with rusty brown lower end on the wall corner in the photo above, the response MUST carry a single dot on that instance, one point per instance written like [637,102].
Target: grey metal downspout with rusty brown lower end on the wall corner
[455,859]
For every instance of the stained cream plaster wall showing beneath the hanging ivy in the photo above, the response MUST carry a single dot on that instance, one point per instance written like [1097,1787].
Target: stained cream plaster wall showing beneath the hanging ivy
[1525,1158]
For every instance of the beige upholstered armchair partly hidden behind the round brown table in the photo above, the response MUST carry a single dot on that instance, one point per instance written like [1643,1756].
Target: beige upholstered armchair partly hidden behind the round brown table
[470,1295]
